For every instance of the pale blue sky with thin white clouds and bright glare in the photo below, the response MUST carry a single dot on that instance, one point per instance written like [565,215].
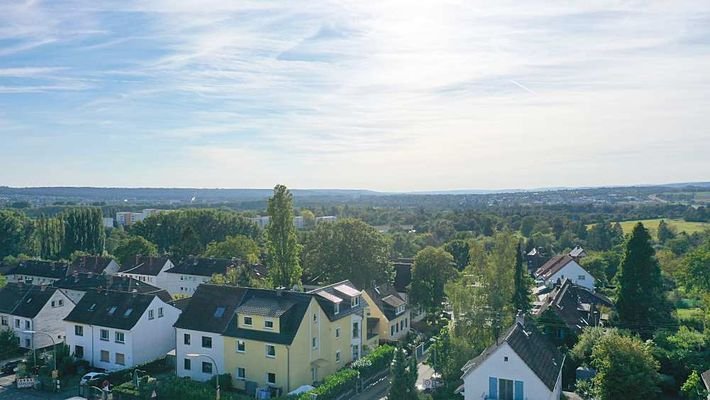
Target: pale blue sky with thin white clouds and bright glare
[383,95]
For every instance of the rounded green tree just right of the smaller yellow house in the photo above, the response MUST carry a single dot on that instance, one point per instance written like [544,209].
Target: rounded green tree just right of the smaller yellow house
[432,269]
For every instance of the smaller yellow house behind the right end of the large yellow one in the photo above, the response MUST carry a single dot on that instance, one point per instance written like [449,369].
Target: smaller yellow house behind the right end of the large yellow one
[388,313]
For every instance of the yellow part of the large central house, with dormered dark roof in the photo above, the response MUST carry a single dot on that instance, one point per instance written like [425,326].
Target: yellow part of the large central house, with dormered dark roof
[280,340]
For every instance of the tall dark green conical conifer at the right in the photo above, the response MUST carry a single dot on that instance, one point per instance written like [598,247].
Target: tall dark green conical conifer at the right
[641,304]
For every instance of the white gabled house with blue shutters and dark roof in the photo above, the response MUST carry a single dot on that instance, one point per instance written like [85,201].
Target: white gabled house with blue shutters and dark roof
[522,364]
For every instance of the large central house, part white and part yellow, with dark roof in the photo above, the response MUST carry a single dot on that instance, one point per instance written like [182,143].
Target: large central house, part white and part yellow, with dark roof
[274,340]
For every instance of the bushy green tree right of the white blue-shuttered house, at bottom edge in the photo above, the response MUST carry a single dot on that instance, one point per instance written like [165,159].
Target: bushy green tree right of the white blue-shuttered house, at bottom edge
[625,368]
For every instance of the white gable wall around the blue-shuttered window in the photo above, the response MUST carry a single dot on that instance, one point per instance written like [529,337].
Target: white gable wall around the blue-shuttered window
[476,381]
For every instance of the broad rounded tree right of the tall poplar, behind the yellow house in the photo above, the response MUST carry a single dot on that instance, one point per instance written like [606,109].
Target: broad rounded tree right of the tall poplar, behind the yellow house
[347,249]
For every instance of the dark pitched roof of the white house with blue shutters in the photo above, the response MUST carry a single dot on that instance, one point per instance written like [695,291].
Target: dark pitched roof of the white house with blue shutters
[541,356]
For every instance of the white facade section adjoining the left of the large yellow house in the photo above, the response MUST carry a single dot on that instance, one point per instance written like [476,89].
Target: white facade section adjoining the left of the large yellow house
[216,352]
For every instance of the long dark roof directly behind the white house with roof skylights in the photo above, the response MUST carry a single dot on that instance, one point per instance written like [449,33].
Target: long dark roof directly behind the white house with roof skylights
[76,285]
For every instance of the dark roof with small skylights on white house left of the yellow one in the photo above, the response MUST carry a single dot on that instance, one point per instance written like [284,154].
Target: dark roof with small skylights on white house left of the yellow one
[112,309]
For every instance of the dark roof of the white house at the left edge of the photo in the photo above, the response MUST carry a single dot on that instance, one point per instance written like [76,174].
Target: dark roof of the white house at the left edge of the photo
[24,300]
